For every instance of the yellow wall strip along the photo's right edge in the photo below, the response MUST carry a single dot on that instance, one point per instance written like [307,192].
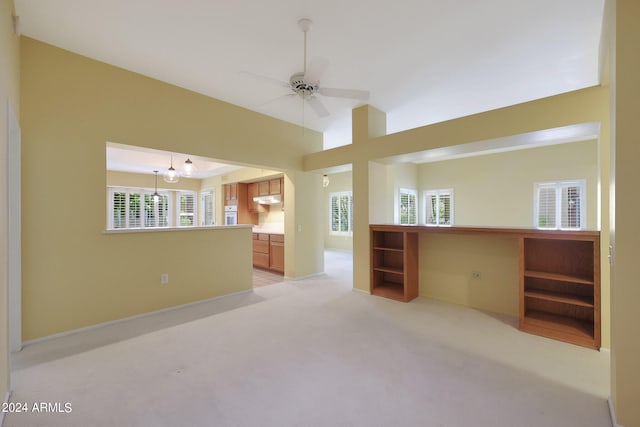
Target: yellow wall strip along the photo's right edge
[625,289]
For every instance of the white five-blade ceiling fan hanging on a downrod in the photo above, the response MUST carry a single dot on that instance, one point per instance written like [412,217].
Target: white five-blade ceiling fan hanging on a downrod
[306,84]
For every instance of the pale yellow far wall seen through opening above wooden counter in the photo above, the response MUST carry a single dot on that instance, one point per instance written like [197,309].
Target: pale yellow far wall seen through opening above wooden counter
[498,189]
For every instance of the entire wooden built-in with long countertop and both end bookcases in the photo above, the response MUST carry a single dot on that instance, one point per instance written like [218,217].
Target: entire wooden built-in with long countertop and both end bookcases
[559,275]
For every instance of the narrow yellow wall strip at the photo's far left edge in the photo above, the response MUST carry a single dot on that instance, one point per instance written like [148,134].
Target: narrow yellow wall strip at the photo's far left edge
[9,96]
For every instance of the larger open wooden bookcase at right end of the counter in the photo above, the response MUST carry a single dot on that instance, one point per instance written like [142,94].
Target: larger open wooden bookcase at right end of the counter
[560,288]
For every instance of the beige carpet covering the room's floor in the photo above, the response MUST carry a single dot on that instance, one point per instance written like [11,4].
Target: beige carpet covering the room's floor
[313,353]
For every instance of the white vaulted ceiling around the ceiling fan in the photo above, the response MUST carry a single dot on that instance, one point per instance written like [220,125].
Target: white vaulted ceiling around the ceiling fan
[423,61]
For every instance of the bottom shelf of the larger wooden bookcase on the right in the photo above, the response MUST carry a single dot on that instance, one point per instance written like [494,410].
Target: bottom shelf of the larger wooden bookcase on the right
[559,327]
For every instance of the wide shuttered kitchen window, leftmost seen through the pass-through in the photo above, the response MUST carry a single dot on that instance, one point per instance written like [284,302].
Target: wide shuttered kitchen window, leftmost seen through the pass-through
[135,208]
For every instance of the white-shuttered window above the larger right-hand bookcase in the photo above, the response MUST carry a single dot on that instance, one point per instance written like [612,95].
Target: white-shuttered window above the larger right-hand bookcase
[559,205]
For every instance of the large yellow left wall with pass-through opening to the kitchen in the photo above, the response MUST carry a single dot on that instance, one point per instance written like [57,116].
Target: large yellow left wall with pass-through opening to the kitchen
[73,274]
